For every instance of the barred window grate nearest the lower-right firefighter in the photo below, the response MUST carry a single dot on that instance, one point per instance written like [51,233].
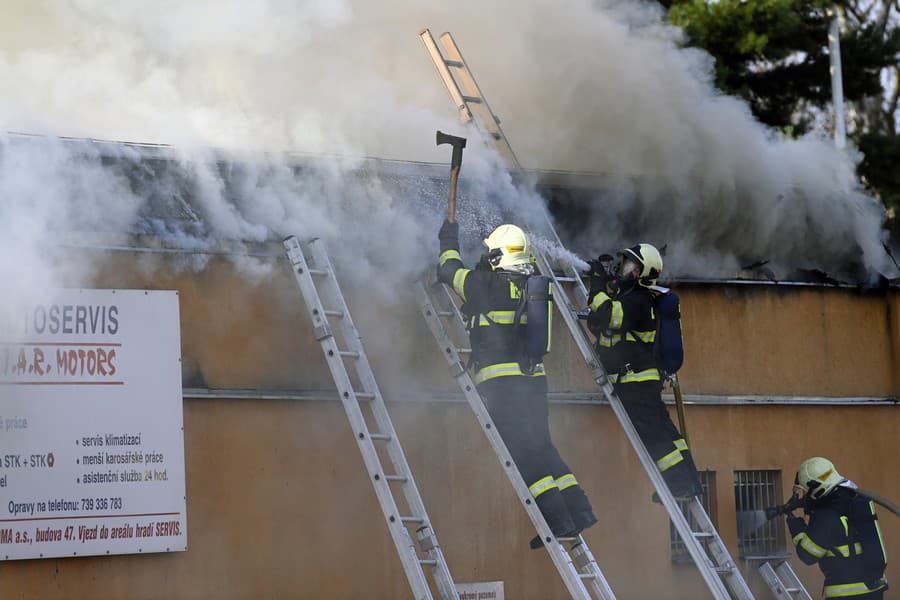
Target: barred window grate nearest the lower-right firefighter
[753,492]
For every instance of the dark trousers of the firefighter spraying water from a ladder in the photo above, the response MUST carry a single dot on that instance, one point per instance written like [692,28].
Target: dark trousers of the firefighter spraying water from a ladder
[643,403]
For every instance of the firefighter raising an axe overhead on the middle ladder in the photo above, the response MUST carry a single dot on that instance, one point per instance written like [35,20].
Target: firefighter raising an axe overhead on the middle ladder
[514,389]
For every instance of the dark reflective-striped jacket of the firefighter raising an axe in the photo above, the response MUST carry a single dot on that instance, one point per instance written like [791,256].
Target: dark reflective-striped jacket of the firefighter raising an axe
[490,300]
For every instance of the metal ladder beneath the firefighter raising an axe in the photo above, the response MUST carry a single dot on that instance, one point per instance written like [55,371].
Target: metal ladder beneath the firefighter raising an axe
[575,564]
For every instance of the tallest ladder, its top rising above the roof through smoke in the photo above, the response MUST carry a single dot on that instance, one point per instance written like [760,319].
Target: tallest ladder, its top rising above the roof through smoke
[709,553]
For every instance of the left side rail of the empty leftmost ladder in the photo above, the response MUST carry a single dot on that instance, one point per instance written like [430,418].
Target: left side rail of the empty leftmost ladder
[406,549]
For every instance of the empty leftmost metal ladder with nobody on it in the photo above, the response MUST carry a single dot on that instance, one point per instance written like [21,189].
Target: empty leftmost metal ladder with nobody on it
[325,304]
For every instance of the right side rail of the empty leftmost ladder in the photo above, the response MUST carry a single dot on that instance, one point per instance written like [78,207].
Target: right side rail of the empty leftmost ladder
[351,337]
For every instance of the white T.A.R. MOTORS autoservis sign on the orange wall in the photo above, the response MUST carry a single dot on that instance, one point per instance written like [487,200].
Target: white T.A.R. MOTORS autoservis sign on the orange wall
[91,435]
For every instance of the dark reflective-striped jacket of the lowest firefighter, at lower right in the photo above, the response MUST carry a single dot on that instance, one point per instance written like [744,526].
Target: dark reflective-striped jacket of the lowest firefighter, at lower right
[842,528]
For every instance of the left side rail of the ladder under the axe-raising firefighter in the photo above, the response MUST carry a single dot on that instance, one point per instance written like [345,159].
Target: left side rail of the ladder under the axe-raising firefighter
[561,561]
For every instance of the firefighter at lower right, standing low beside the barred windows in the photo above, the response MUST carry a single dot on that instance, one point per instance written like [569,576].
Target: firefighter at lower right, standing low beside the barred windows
[842,535]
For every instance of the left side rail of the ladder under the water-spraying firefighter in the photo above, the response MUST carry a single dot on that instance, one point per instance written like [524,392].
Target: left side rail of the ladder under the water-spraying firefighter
[707,570]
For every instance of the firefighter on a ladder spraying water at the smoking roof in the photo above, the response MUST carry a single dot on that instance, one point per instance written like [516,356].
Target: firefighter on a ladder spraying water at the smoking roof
[623,319]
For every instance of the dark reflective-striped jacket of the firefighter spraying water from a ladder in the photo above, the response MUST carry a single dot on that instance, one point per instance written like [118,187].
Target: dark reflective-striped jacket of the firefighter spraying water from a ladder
[625,326]
